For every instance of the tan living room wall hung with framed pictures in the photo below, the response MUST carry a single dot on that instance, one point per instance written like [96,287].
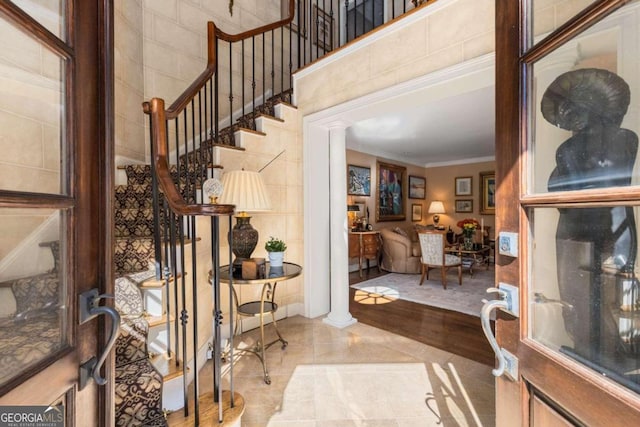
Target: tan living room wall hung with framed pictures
[440,186]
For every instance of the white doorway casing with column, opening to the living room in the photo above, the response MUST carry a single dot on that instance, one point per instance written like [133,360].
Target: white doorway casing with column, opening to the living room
[326,278]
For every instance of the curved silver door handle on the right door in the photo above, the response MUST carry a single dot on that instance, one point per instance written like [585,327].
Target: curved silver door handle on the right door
[507,362]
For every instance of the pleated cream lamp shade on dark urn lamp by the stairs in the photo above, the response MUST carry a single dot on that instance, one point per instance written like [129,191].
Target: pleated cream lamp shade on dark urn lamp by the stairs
[246,190]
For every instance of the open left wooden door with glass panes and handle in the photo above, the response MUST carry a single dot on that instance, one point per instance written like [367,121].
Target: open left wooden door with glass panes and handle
[54,191]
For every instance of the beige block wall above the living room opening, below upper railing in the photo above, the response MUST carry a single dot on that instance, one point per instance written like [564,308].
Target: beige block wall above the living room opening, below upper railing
[458,31]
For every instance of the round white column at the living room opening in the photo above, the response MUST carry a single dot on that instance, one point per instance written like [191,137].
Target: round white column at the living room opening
[339,315]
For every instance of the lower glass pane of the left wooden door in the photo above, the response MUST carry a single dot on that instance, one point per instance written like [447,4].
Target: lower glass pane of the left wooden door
[33,288]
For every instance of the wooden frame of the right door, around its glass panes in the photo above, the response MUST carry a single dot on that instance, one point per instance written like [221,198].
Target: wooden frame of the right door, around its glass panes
[615,406]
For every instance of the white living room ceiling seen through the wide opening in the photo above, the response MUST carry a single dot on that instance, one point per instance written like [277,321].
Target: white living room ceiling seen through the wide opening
[446,130]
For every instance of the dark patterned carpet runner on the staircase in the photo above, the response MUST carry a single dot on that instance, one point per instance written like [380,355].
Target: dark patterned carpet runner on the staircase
[138,384]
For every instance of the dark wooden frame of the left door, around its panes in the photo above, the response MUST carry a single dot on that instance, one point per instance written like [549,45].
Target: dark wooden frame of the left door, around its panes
[90,100]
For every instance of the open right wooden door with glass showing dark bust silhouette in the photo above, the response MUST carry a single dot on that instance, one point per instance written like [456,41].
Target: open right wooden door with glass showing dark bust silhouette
[568,122]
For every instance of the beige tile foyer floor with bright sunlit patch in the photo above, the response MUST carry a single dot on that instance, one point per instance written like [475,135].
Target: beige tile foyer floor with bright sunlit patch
[357,376]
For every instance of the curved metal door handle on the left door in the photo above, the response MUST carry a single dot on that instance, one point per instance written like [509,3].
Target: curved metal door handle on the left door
[89,308]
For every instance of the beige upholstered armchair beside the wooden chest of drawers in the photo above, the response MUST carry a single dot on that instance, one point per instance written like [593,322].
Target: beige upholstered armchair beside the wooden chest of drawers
[400,253]
